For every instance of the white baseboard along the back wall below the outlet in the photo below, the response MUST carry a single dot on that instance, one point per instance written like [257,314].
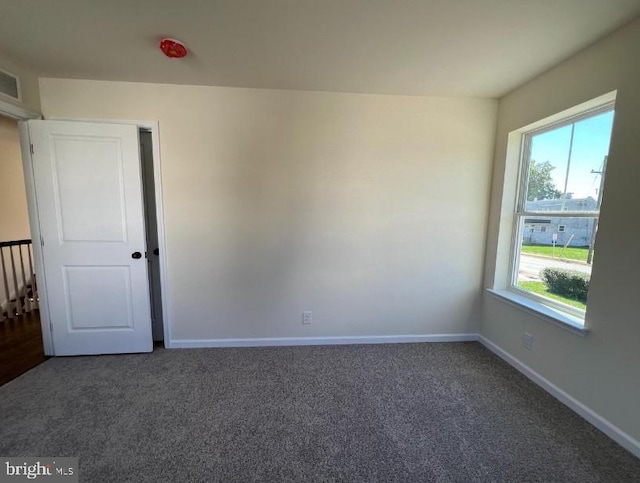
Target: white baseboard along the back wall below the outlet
[293,341]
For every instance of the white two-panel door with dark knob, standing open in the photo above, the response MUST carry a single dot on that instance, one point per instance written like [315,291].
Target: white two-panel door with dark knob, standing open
[90,210]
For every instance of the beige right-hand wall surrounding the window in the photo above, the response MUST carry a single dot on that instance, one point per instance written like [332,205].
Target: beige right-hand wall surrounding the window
[601,370]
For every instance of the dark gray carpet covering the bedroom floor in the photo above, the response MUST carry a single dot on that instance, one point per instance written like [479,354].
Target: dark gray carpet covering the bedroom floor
[410,412]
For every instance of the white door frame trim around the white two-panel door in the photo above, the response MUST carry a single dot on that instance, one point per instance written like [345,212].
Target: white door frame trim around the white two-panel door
[23,115]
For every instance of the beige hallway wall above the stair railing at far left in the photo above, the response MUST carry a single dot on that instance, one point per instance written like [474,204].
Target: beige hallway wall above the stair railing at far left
[14,218]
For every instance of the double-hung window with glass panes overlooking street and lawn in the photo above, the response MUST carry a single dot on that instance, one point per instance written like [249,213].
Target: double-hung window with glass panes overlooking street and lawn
[561,180]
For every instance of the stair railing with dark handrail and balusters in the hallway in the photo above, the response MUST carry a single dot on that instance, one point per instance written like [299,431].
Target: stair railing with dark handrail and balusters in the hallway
[18,288]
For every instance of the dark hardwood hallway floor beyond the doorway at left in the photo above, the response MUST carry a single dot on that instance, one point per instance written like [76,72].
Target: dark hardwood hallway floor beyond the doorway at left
[20,345]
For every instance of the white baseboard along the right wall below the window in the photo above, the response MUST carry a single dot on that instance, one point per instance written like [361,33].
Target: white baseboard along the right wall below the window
[615,433]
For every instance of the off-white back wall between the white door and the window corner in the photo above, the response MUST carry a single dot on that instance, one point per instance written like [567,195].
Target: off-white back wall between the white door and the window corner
[369,210]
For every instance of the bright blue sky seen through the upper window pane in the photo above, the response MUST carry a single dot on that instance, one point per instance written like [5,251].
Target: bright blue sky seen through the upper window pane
[590,145]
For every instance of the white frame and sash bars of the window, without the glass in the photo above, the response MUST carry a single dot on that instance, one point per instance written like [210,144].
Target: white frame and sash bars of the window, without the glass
[520,213]
